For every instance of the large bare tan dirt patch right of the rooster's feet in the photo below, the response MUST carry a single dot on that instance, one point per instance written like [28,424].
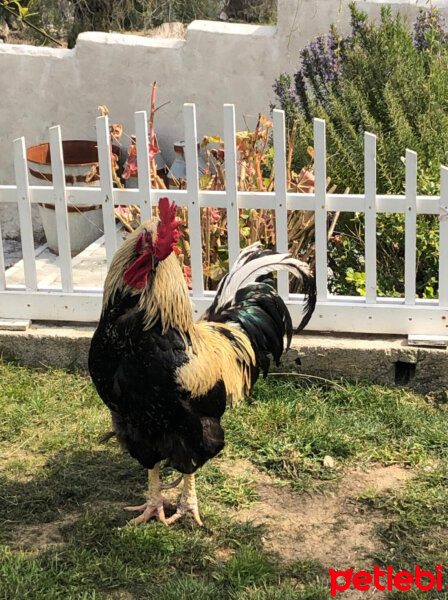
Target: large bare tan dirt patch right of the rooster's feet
[326,527]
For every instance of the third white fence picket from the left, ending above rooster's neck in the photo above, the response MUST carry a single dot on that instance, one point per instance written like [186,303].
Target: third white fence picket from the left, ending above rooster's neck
[107,186]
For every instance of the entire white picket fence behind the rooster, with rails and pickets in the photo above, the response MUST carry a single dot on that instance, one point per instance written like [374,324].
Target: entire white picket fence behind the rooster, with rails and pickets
[369,314]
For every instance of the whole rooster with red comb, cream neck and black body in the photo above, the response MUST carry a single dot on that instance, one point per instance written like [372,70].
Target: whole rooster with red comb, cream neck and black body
[166,379]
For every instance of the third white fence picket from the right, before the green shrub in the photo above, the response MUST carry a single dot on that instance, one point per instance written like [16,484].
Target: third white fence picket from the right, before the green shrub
[370,215]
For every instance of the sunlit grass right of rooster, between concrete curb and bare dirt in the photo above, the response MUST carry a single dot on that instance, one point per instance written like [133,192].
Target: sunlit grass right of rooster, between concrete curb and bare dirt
[290,427]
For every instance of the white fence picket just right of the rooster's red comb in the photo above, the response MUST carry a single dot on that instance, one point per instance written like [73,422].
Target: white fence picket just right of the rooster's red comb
[194,211]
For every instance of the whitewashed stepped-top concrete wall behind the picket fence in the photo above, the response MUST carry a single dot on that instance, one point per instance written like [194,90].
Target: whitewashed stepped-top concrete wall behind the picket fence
[217,63]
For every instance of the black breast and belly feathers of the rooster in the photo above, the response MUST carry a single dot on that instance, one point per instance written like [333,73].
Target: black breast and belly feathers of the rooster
[134,373]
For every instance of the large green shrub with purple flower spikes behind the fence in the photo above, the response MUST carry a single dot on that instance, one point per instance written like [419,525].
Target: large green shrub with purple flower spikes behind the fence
[392,80]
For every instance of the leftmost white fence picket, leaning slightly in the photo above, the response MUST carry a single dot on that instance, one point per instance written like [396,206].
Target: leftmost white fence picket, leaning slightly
[24,205]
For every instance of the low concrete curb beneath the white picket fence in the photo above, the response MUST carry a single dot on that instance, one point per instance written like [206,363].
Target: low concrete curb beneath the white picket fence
[386,360]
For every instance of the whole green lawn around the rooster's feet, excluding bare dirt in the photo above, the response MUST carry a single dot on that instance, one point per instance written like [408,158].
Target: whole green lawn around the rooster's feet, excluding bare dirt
[64,535]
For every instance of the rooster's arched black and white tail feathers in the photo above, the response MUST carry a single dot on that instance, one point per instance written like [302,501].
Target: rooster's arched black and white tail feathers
[247,298]
